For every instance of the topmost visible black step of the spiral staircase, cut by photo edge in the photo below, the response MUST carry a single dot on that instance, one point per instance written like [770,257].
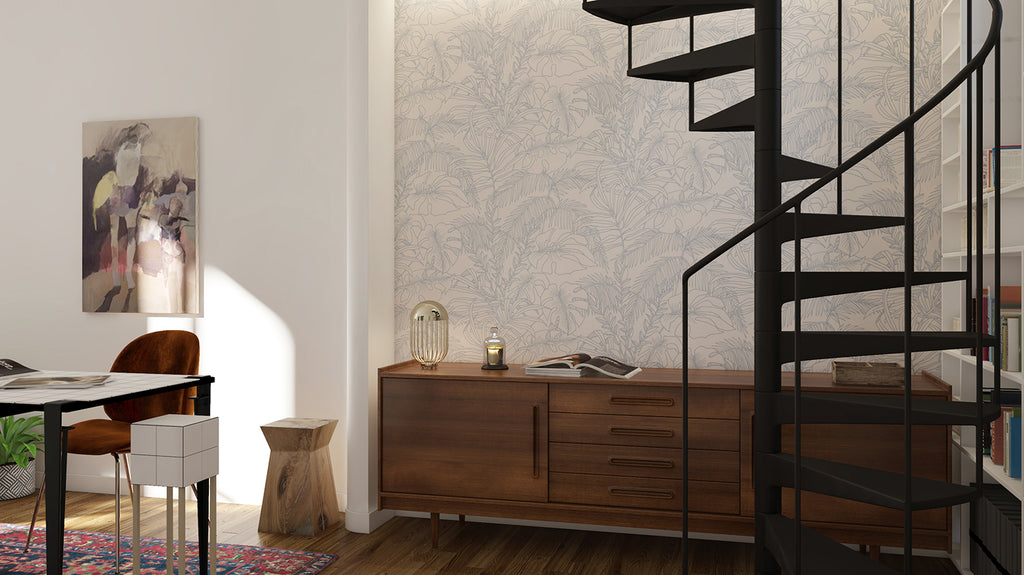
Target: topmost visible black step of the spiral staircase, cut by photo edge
[649,12]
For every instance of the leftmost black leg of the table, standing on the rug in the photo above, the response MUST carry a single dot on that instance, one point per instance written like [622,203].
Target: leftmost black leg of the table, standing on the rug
[56,480]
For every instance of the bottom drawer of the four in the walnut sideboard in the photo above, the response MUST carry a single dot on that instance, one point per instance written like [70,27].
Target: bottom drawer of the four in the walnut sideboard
[643,494]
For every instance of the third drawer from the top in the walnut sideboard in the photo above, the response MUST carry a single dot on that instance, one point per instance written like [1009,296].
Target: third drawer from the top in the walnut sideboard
[661,463]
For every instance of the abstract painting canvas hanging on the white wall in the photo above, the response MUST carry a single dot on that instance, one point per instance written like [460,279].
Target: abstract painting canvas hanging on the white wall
[139,216]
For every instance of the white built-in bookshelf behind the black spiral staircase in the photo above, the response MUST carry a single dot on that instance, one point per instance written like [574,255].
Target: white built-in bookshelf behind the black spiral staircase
[960,369]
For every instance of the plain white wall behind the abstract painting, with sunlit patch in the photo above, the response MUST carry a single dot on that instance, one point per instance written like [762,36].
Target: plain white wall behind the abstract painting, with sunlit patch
[268,83]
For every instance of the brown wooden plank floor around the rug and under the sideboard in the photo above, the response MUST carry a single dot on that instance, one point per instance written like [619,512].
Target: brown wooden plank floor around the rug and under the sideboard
[402,547]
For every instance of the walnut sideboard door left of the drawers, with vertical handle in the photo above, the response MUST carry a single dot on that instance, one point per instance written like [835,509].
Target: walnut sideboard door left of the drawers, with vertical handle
[465,439]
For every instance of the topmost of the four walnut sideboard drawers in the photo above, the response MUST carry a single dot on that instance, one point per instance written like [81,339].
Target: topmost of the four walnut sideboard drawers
[637,401]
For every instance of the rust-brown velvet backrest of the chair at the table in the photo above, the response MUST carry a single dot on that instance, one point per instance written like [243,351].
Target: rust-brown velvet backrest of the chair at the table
[173,351]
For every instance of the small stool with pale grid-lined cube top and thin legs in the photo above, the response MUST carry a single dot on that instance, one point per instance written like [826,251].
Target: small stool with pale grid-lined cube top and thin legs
[176,451]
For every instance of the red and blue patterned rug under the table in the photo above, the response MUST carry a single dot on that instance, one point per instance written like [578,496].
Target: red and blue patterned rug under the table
[94,553]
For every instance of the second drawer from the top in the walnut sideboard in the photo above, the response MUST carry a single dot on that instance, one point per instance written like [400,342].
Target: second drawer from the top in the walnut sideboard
[644,432]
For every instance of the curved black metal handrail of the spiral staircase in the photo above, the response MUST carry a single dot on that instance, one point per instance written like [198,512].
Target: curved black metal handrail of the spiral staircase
[972,66]
